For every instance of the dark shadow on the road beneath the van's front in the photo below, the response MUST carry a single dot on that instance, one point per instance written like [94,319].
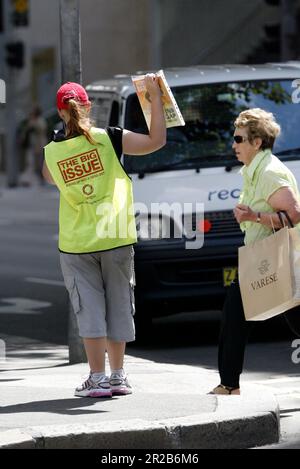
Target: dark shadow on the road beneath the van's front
[194,342]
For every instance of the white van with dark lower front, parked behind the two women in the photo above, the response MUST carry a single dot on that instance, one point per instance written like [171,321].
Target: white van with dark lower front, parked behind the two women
[197,165]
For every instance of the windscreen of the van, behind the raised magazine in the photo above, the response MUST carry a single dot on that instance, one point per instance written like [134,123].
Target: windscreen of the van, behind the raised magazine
[209,112]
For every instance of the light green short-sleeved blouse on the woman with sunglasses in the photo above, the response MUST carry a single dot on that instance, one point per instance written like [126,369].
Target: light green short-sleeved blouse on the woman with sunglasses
[264,176]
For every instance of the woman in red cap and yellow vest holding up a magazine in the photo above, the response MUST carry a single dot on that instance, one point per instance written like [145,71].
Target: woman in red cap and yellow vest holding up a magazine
[97,228]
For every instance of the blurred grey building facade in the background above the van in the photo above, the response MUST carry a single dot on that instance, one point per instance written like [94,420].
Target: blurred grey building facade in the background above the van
[123,36]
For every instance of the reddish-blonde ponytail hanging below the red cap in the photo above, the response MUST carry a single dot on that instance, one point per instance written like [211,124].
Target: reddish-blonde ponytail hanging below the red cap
[79,122]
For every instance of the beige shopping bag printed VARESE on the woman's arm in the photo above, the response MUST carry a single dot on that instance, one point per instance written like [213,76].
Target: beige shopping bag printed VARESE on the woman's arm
[266,275]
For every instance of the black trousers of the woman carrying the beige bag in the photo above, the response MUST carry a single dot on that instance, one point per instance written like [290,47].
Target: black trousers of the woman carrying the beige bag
[234,334]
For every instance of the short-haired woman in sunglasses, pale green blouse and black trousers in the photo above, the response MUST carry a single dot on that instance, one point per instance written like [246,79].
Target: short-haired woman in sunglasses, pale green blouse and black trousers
[268,187]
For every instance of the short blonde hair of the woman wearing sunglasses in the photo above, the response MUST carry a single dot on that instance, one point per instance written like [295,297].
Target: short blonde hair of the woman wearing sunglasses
[259,123]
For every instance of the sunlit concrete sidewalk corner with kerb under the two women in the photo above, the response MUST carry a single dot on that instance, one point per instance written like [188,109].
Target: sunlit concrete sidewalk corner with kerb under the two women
[169,407]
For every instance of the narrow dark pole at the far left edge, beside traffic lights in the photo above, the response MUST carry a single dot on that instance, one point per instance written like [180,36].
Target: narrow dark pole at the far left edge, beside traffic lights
[11,154]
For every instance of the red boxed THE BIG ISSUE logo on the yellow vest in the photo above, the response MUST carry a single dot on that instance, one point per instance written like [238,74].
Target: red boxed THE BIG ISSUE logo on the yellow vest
[80,166]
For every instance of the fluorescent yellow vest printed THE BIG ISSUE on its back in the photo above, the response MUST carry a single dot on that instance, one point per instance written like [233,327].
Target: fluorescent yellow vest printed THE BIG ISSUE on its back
[96,210]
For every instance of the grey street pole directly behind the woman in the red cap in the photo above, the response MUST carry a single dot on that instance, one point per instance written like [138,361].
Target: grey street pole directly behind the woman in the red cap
[71,71]
